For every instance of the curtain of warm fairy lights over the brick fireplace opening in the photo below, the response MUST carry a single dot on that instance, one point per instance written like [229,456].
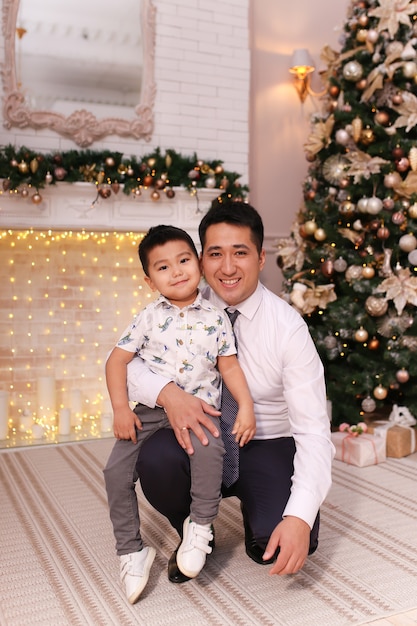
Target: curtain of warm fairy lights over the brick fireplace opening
[68,297]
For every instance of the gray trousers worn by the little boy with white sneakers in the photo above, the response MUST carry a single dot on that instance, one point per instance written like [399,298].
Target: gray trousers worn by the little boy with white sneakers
[120,476]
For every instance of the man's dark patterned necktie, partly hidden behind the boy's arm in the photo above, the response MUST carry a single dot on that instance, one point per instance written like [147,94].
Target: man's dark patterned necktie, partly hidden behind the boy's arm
[227,419]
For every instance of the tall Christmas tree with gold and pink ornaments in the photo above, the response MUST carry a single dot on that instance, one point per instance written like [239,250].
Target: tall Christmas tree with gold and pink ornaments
[350,264]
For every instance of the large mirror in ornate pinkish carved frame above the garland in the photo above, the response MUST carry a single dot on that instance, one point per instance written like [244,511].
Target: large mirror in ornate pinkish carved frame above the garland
[80,69]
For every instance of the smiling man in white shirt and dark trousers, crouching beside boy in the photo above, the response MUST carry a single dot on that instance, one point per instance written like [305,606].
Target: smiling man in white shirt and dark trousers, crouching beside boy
[285,471]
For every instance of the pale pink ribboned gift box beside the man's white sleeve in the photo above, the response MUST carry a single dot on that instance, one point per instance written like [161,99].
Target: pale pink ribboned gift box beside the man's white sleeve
[359,450]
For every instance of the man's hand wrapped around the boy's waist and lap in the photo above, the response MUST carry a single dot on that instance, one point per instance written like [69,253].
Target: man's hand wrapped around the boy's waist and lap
[186,412]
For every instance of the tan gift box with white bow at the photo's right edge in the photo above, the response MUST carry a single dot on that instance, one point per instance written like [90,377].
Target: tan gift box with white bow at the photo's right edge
[399,431]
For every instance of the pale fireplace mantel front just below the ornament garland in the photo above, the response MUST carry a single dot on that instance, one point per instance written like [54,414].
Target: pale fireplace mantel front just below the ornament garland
[72,206]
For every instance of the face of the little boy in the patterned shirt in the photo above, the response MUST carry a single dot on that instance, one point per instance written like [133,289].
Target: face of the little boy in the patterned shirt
[174,271]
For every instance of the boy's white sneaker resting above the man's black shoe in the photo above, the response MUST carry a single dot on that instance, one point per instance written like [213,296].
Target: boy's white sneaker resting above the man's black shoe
[194,548]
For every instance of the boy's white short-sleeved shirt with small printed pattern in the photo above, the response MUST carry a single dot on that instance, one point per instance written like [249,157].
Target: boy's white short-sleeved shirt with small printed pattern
[183,344]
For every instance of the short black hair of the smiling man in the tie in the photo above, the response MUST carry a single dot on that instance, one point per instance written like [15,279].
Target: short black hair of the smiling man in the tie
[236,213]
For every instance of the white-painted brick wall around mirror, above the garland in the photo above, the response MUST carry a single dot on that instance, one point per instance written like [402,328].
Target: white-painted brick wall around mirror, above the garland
[202,68]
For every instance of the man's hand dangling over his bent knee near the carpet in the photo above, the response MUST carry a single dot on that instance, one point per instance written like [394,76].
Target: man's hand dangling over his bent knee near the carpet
[292,536]
